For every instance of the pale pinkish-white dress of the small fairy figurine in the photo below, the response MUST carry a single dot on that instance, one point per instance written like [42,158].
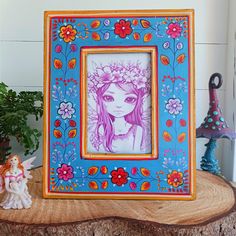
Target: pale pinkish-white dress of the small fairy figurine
[15,200]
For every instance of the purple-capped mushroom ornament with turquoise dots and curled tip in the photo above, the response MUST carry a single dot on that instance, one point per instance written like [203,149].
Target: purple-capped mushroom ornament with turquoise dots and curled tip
[213,127]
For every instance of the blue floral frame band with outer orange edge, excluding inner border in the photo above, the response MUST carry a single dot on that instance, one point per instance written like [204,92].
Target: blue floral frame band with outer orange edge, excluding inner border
[172,175]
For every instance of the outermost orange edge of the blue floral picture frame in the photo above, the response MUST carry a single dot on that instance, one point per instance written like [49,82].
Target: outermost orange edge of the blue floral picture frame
[192,122]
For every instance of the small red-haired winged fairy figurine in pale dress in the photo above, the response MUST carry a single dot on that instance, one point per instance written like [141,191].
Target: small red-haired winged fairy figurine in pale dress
[14,175]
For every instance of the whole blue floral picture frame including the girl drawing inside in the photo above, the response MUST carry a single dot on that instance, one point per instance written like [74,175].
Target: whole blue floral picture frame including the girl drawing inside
[119,104]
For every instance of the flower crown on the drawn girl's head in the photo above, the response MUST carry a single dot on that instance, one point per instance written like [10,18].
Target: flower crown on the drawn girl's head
[120,73]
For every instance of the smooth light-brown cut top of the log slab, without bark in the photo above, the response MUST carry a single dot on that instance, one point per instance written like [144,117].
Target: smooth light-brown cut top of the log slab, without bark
[215,199]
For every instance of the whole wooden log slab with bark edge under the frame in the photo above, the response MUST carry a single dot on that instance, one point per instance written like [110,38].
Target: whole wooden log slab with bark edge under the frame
[212,213]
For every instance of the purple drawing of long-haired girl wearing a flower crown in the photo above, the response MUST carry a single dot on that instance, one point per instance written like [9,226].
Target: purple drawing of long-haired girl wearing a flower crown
[123,114]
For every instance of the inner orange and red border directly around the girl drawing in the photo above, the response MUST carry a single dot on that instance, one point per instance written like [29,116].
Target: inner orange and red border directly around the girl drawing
[153,51]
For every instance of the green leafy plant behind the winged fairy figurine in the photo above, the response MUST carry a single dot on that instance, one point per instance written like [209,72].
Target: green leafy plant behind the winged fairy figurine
[14,112]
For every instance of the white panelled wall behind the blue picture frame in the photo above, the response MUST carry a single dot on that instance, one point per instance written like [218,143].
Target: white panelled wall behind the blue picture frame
[21,44]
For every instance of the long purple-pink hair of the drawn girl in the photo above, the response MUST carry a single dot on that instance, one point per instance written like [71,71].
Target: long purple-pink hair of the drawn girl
[105,119]
